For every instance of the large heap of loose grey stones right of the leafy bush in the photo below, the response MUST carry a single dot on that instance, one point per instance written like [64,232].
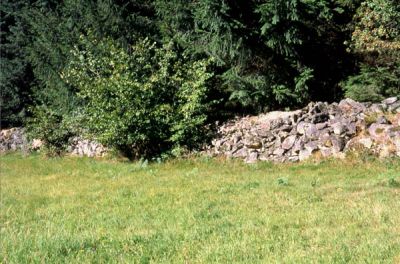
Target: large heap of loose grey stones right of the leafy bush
[328,129]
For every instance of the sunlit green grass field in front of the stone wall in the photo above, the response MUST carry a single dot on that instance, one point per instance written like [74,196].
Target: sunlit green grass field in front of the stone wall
[78,210]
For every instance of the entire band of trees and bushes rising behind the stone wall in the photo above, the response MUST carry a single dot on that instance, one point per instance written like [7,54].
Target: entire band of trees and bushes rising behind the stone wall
[148,76]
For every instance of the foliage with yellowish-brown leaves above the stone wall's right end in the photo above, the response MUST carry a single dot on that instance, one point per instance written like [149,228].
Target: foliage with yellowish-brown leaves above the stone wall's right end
[376,40]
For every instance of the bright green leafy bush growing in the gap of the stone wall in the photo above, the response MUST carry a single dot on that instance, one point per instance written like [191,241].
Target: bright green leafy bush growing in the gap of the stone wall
[142,101]
